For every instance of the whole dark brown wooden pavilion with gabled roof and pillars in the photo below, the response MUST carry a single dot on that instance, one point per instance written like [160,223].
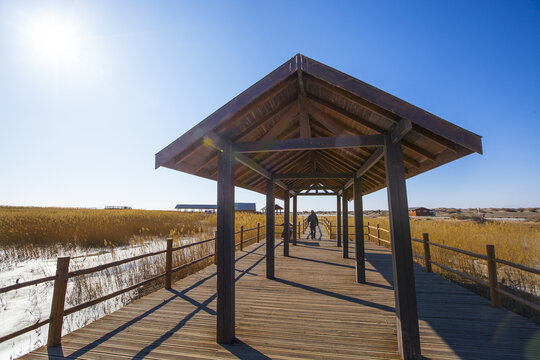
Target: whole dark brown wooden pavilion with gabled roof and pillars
[308,129]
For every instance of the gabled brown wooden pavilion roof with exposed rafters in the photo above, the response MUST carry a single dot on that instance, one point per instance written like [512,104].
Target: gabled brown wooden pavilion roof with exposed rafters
[301,123]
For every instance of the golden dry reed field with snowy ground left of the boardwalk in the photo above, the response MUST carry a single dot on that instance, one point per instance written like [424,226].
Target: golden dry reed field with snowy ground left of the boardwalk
[32,238]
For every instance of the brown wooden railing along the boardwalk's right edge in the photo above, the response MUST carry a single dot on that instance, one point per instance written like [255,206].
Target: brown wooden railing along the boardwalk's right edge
[373,233]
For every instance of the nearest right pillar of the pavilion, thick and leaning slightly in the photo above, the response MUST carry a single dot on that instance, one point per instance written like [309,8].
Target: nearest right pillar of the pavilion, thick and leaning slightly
[404,286]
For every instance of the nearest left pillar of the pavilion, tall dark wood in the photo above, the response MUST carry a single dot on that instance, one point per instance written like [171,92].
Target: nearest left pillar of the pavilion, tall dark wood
[225,246]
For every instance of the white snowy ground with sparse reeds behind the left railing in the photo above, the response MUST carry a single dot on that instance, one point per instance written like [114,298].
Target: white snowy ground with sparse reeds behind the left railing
[26,306]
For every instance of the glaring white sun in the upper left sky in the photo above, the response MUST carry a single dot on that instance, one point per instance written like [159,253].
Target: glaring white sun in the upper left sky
[54,39]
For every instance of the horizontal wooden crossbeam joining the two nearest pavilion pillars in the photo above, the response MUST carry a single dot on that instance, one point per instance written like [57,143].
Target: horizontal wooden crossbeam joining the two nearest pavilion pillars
[338,142]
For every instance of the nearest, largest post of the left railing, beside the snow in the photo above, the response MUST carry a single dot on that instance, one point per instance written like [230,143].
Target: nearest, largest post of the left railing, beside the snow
[59,297]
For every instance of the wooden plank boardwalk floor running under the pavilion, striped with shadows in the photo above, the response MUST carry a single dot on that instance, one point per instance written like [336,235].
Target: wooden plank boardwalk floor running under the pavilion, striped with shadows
[312,310]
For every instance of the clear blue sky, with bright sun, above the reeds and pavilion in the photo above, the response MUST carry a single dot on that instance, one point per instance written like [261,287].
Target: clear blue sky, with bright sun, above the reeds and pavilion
[82,117]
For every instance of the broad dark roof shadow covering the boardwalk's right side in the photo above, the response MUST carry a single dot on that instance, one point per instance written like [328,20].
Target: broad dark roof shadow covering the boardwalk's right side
[465,321]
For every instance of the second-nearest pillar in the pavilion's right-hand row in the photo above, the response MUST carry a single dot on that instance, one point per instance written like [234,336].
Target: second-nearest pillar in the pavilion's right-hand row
[359,232]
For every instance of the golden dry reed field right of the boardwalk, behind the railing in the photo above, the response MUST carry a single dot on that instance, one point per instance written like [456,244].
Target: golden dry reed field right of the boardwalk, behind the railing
[517,242]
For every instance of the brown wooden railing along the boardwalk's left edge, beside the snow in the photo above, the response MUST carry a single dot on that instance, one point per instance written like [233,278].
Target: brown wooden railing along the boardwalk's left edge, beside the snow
[58,312]
